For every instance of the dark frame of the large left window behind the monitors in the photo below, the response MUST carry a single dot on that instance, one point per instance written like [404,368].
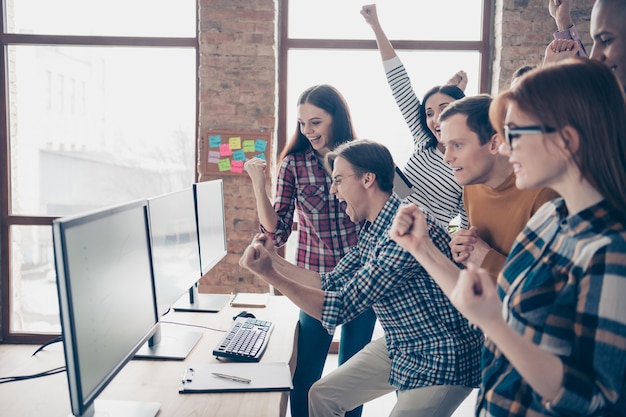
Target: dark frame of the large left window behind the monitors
[6,218]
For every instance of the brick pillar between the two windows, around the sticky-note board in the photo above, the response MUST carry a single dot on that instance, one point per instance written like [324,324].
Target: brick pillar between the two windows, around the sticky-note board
[237,92]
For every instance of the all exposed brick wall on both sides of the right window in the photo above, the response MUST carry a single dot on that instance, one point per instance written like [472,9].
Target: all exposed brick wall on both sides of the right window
[238,91]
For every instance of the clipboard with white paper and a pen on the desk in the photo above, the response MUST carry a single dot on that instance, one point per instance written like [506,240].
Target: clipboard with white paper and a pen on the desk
[236,377]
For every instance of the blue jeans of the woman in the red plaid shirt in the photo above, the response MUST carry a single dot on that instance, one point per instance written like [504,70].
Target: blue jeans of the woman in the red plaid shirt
[313,344]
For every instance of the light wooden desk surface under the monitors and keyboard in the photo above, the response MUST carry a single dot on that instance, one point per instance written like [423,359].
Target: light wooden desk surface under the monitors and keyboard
[147,380]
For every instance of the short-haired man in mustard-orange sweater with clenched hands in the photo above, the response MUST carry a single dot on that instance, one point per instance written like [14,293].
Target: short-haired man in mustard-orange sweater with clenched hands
[497,210]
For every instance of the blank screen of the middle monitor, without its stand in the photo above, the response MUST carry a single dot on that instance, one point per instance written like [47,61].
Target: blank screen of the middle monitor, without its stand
[175,255]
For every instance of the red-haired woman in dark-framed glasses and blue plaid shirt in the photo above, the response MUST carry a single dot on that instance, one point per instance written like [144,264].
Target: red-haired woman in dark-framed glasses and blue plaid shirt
[555,324]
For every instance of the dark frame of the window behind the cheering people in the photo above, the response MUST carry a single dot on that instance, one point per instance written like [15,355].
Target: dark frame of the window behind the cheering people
[482,46]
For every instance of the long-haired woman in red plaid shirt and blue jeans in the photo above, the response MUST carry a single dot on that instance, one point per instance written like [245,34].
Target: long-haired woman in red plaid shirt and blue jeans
[325,232]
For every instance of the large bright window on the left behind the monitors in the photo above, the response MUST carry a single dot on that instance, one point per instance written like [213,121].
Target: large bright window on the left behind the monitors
[100,106]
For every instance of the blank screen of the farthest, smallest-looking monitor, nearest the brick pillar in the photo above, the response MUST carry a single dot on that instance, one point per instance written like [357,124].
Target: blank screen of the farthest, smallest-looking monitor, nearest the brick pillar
[211,228]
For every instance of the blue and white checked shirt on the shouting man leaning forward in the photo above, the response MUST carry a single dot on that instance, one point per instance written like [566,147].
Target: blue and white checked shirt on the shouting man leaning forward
[428,340]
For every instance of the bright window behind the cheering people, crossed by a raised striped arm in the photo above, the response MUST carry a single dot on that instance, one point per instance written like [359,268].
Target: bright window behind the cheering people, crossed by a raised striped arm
[329,42]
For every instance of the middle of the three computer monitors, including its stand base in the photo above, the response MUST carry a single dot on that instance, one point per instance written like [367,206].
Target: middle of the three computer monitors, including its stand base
[176,268]
